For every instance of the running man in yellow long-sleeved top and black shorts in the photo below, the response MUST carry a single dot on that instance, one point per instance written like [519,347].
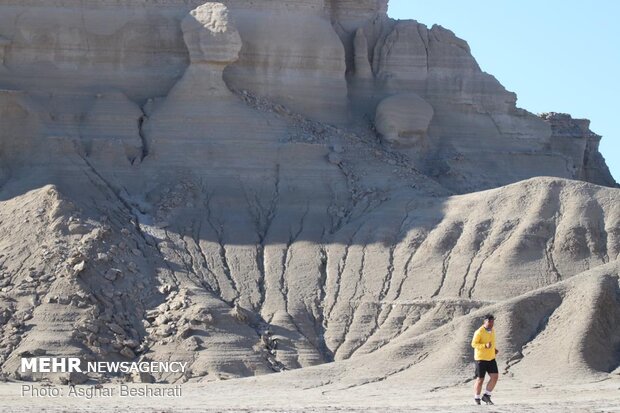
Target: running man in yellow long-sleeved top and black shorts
[484,356]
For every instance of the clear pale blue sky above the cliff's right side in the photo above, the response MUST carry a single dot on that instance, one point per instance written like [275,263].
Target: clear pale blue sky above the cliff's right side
[557,55]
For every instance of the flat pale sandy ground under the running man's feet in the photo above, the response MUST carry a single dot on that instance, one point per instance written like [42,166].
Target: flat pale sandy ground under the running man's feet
[250,396]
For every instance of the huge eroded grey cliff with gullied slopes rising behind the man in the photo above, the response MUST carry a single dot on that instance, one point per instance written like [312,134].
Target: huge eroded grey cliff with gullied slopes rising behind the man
[260,186]
